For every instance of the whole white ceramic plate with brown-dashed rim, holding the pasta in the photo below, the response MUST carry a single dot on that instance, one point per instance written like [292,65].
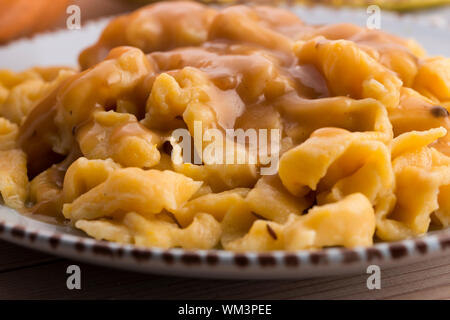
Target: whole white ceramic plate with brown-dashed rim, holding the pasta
[431,30]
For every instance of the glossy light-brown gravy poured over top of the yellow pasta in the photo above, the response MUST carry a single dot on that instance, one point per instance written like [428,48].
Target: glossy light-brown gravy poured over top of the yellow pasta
[254,66]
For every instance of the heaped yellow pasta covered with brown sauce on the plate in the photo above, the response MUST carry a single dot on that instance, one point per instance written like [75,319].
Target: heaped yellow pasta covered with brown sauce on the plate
[363,117]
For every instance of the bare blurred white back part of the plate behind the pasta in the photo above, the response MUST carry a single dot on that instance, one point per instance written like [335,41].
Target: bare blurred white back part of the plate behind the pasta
[430,28]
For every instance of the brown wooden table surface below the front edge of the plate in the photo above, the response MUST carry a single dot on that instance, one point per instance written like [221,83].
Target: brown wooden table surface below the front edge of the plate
[27,274]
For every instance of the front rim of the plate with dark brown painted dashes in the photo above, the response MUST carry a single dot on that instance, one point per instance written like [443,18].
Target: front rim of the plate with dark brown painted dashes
[221,263]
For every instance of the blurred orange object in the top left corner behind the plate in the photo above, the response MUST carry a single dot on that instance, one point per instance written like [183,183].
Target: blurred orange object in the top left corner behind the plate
[19,18]
